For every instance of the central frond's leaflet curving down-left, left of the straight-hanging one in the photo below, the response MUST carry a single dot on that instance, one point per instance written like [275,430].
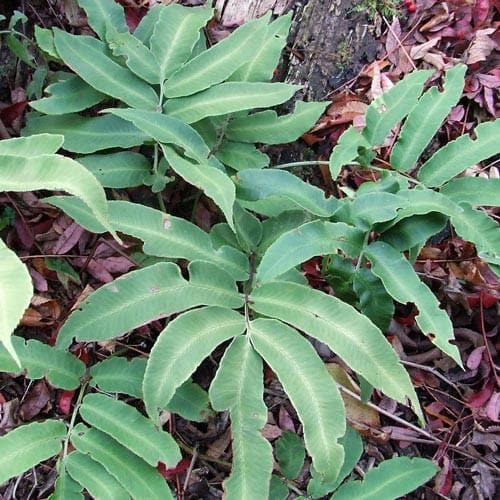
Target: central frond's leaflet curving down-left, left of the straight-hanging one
[180,349]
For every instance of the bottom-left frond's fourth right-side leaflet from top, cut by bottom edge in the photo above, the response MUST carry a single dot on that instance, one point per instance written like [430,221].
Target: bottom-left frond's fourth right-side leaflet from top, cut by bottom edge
[92,476]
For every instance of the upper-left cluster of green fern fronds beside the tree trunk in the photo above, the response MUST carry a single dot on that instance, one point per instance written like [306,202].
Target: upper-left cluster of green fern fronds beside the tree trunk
[161,86]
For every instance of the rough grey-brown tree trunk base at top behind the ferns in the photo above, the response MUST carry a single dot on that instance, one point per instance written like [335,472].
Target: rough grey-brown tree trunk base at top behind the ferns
[329,42]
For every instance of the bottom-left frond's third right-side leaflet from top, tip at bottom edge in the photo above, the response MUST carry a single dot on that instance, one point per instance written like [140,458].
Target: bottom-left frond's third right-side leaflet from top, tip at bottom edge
[134,475]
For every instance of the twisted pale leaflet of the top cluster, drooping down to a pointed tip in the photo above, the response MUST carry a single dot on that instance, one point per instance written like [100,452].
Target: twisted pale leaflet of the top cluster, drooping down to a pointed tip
[214,183]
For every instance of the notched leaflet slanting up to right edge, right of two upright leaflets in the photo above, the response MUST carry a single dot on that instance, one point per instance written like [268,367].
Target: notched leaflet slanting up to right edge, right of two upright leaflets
[460,154]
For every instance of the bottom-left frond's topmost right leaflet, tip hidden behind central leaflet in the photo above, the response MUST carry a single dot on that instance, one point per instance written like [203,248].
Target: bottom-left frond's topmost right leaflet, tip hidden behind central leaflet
[117,374]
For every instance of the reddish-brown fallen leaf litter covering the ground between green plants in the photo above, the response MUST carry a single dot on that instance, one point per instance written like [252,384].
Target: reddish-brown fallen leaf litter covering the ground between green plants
[462,407]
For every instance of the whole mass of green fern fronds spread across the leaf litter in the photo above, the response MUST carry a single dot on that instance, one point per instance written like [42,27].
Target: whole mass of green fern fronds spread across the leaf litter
[241,291]
